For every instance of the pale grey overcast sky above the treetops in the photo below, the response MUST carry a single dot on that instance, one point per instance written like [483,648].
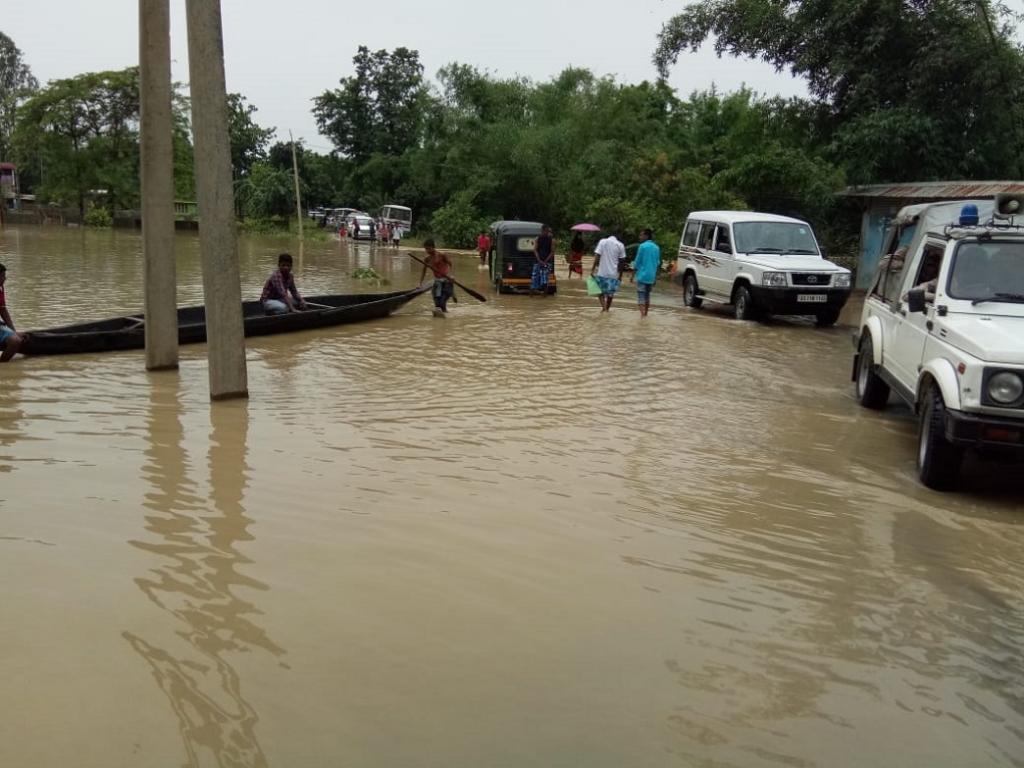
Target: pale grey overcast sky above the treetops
[281,55]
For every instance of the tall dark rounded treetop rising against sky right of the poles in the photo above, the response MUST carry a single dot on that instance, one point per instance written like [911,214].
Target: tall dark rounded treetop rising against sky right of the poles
[380,109]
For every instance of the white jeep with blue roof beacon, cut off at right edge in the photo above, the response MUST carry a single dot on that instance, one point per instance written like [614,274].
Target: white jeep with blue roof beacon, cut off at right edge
[944,327]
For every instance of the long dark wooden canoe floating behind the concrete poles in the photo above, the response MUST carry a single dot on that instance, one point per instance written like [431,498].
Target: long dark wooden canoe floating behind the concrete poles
[130,332]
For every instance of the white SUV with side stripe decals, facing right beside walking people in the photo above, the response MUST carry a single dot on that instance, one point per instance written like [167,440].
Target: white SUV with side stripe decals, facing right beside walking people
[761,265]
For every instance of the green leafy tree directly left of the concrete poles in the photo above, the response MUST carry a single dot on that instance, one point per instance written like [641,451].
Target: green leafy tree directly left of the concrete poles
[84,133]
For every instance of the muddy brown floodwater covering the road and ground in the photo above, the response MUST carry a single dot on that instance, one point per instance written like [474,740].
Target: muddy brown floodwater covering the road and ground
[525,536]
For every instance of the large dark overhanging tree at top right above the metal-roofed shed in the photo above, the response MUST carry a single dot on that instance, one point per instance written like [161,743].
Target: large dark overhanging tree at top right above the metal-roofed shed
[907,87]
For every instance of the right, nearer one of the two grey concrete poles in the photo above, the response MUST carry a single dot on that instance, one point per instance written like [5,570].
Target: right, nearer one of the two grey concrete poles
[222,287]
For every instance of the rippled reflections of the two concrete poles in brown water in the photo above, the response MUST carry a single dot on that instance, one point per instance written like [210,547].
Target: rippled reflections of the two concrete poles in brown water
[197,540]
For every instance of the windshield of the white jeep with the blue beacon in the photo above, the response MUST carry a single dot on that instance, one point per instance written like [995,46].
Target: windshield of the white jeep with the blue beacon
[989,272]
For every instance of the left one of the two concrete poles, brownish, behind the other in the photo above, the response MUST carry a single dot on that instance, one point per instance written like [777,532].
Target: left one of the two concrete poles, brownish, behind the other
[160,289]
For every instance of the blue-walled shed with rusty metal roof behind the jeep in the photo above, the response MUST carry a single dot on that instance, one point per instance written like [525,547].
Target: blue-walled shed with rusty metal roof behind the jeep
[880,203]
